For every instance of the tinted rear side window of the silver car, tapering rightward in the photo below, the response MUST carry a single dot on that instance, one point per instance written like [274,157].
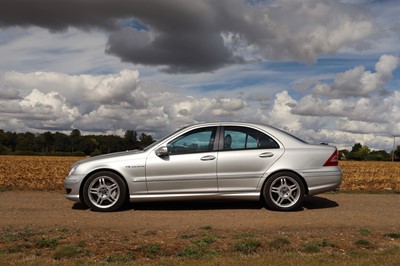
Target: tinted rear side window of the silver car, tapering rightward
[238,138]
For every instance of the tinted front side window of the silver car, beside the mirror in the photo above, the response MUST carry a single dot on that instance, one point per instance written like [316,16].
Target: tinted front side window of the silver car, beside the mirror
[198,140]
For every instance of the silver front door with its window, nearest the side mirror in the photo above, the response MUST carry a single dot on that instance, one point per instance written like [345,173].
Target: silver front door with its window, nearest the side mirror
[189,167]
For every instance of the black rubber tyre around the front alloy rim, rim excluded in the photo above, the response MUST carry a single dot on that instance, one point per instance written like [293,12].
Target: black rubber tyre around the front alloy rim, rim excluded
[122,190]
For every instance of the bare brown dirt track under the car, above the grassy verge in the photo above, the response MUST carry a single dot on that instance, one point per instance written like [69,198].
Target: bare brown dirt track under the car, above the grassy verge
[329,211]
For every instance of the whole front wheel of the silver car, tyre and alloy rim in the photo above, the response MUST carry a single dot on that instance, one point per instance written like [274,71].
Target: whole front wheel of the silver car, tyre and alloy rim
[104,192]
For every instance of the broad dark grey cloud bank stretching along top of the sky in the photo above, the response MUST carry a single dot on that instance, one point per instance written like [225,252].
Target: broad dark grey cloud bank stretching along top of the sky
[186,36]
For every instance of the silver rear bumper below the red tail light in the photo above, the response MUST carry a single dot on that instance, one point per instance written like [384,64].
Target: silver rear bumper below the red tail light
[322,180]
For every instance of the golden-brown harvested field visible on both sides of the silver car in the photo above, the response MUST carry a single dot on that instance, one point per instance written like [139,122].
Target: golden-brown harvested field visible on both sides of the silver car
[48,173]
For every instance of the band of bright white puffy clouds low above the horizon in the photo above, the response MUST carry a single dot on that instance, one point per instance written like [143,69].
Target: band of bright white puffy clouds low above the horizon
[121,101]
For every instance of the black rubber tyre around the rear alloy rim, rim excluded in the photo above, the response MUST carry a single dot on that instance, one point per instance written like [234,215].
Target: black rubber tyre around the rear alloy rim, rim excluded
[270,204]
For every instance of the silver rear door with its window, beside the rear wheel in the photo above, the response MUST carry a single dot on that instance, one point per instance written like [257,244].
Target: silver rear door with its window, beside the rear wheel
[246,154]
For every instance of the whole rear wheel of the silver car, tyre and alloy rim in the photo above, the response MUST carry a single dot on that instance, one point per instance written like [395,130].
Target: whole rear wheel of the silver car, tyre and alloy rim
[284,191]
